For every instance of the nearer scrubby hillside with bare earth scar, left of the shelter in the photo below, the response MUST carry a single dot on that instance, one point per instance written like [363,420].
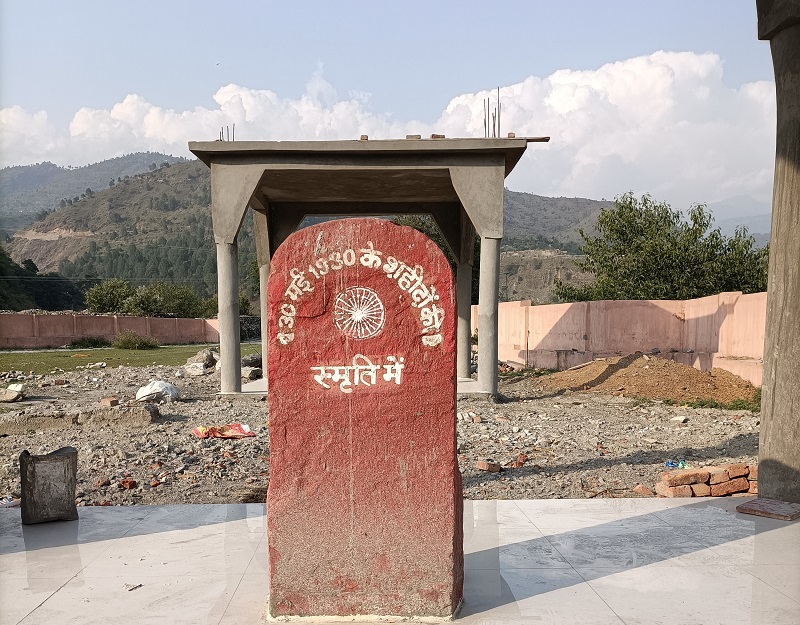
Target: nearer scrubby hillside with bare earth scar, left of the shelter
[155,226]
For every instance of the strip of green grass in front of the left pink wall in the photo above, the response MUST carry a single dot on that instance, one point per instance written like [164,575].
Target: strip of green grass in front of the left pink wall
[45,361]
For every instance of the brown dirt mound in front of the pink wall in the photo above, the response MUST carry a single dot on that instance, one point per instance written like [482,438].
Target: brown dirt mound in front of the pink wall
[639,375]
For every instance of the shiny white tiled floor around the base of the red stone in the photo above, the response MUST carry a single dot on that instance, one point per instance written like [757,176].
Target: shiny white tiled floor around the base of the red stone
[659,561]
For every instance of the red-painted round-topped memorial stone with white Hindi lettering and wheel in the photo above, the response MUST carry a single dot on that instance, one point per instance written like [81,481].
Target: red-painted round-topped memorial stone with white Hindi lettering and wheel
[364,502]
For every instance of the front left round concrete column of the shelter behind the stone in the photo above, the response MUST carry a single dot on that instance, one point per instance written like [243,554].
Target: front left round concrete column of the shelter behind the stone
[228,297]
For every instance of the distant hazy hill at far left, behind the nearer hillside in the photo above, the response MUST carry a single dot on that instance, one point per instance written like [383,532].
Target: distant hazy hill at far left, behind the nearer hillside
[26,192]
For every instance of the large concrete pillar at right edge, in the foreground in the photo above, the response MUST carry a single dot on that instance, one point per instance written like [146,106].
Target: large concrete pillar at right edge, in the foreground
[779,441]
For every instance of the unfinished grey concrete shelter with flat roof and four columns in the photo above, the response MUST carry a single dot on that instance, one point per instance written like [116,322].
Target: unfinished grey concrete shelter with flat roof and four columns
[459,182]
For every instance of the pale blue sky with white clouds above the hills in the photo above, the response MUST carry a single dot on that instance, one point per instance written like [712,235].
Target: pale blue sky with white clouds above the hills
[673,98]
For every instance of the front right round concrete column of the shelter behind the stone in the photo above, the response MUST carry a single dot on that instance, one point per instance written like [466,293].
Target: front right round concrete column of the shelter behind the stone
[487,315]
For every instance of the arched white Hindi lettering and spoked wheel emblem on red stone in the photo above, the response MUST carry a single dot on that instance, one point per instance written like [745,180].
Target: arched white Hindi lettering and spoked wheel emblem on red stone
[370,315]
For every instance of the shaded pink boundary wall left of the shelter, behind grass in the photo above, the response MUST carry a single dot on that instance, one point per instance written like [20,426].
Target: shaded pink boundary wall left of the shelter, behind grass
[25,331]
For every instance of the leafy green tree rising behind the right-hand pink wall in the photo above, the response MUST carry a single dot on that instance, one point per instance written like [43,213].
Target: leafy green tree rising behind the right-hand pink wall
[644,249]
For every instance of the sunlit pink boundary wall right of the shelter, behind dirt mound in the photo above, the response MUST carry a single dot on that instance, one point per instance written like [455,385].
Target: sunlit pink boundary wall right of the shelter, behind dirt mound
[725,331]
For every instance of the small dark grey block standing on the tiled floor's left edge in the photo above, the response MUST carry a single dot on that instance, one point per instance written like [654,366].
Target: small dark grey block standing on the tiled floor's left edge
[48,486]
